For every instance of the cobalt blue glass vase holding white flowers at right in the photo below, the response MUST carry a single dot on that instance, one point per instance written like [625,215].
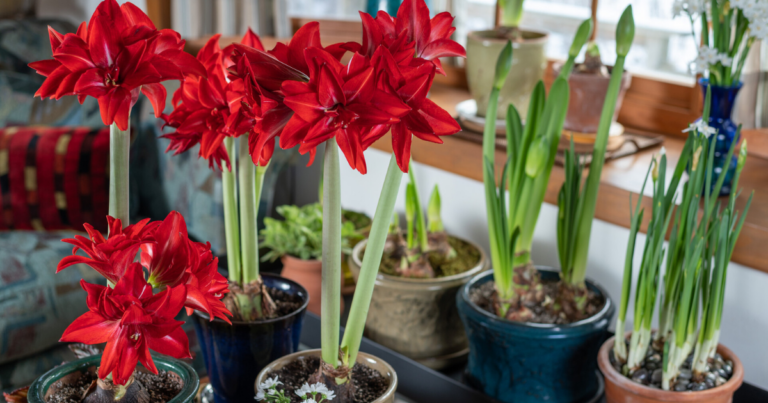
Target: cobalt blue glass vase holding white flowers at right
[720,110]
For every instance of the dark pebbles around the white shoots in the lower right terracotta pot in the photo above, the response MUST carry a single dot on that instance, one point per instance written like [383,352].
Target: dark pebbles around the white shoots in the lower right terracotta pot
[719,371]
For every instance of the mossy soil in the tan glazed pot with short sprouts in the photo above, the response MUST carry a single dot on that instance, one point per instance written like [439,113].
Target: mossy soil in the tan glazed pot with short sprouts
[467,257]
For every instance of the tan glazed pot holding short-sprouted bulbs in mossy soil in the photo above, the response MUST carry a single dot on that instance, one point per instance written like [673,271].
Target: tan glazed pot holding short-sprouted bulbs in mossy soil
[418,317]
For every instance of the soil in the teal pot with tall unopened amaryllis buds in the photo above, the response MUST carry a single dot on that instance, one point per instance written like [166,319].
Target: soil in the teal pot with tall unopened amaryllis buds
[544,312]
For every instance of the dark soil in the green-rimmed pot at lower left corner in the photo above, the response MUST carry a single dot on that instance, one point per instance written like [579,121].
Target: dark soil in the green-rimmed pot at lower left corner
[161,387]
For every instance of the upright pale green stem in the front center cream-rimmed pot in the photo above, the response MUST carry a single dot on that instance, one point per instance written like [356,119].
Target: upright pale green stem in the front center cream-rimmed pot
[330,319]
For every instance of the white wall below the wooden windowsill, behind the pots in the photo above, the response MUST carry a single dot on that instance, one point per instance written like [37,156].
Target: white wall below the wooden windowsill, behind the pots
[745,322]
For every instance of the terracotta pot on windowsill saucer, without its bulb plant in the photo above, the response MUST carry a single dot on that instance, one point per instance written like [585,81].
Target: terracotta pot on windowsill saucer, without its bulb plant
[587,98]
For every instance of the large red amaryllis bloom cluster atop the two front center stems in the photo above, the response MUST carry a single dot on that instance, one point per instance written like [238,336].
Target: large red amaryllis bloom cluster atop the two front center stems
[304,94]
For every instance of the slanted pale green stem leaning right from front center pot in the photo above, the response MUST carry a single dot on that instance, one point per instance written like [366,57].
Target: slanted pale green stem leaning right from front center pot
[353,334]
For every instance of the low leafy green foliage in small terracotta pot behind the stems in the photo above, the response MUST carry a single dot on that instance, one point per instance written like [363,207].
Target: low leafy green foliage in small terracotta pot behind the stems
[299,234]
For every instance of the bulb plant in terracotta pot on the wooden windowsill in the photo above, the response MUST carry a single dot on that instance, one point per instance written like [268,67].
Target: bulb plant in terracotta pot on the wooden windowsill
[589,84]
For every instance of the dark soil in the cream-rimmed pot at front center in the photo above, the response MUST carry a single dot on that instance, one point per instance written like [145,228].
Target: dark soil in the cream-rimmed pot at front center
[369,383]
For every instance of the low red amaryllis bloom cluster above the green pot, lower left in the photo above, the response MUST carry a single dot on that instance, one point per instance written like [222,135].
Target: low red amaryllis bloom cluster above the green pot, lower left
[131,318]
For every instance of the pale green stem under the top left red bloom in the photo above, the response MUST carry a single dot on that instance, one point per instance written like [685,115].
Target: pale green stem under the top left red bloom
[119,154]
